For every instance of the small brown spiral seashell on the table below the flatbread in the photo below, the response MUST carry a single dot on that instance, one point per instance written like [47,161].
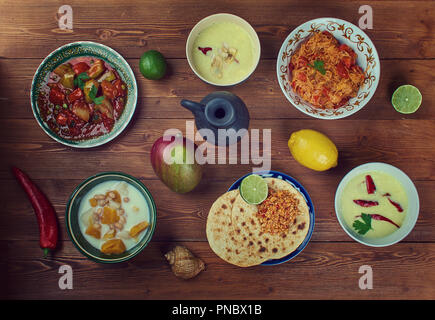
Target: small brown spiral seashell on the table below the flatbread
[183,263]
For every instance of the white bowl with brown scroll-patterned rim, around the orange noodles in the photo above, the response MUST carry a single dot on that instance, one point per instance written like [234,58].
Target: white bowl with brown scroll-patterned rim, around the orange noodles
[346,33]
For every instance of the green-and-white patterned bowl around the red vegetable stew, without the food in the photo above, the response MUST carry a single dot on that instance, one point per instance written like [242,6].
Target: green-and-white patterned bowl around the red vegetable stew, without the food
[77,49]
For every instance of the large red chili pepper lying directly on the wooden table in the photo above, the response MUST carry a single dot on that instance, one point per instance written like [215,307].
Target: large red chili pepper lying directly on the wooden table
[45,213]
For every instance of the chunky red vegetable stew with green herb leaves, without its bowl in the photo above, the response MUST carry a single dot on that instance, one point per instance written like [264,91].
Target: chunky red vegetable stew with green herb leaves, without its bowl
[82,99]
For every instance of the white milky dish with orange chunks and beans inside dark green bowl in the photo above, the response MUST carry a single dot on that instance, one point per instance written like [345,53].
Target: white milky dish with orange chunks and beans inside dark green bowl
[114,216]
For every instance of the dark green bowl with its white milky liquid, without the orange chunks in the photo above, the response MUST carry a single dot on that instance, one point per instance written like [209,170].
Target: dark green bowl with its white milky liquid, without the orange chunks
[136,202]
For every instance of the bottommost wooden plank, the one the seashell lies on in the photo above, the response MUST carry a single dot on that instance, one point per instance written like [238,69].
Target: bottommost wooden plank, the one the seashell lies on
[321,271]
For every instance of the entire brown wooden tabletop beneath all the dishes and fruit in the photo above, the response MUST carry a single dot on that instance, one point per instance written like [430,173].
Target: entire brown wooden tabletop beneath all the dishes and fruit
[403,33]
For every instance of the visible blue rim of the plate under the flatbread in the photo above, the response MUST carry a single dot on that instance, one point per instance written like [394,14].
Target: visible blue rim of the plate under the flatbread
[301,189]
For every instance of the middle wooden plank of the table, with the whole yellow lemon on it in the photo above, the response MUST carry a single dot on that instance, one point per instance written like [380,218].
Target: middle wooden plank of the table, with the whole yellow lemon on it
[398,142]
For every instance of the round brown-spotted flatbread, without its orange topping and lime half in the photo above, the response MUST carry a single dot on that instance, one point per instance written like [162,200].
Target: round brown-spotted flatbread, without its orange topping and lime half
[234,232]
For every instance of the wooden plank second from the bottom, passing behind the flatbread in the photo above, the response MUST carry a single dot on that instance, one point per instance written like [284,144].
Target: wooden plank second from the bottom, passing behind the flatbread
[183,217]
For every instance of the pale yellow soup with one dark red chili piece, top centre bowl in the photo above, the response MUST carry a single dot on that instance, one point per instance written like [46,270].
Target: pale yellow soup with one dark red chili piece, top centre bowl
[223,53]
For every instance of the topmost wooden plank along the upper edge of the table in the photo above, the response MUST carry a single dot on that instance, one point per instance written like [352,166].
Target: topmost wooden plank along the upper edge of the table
[136,26]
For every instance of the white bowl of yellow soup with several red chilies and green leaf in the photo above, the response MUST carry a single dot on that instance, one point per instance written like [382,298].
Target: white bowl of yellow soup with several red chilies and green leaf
[377,204]
